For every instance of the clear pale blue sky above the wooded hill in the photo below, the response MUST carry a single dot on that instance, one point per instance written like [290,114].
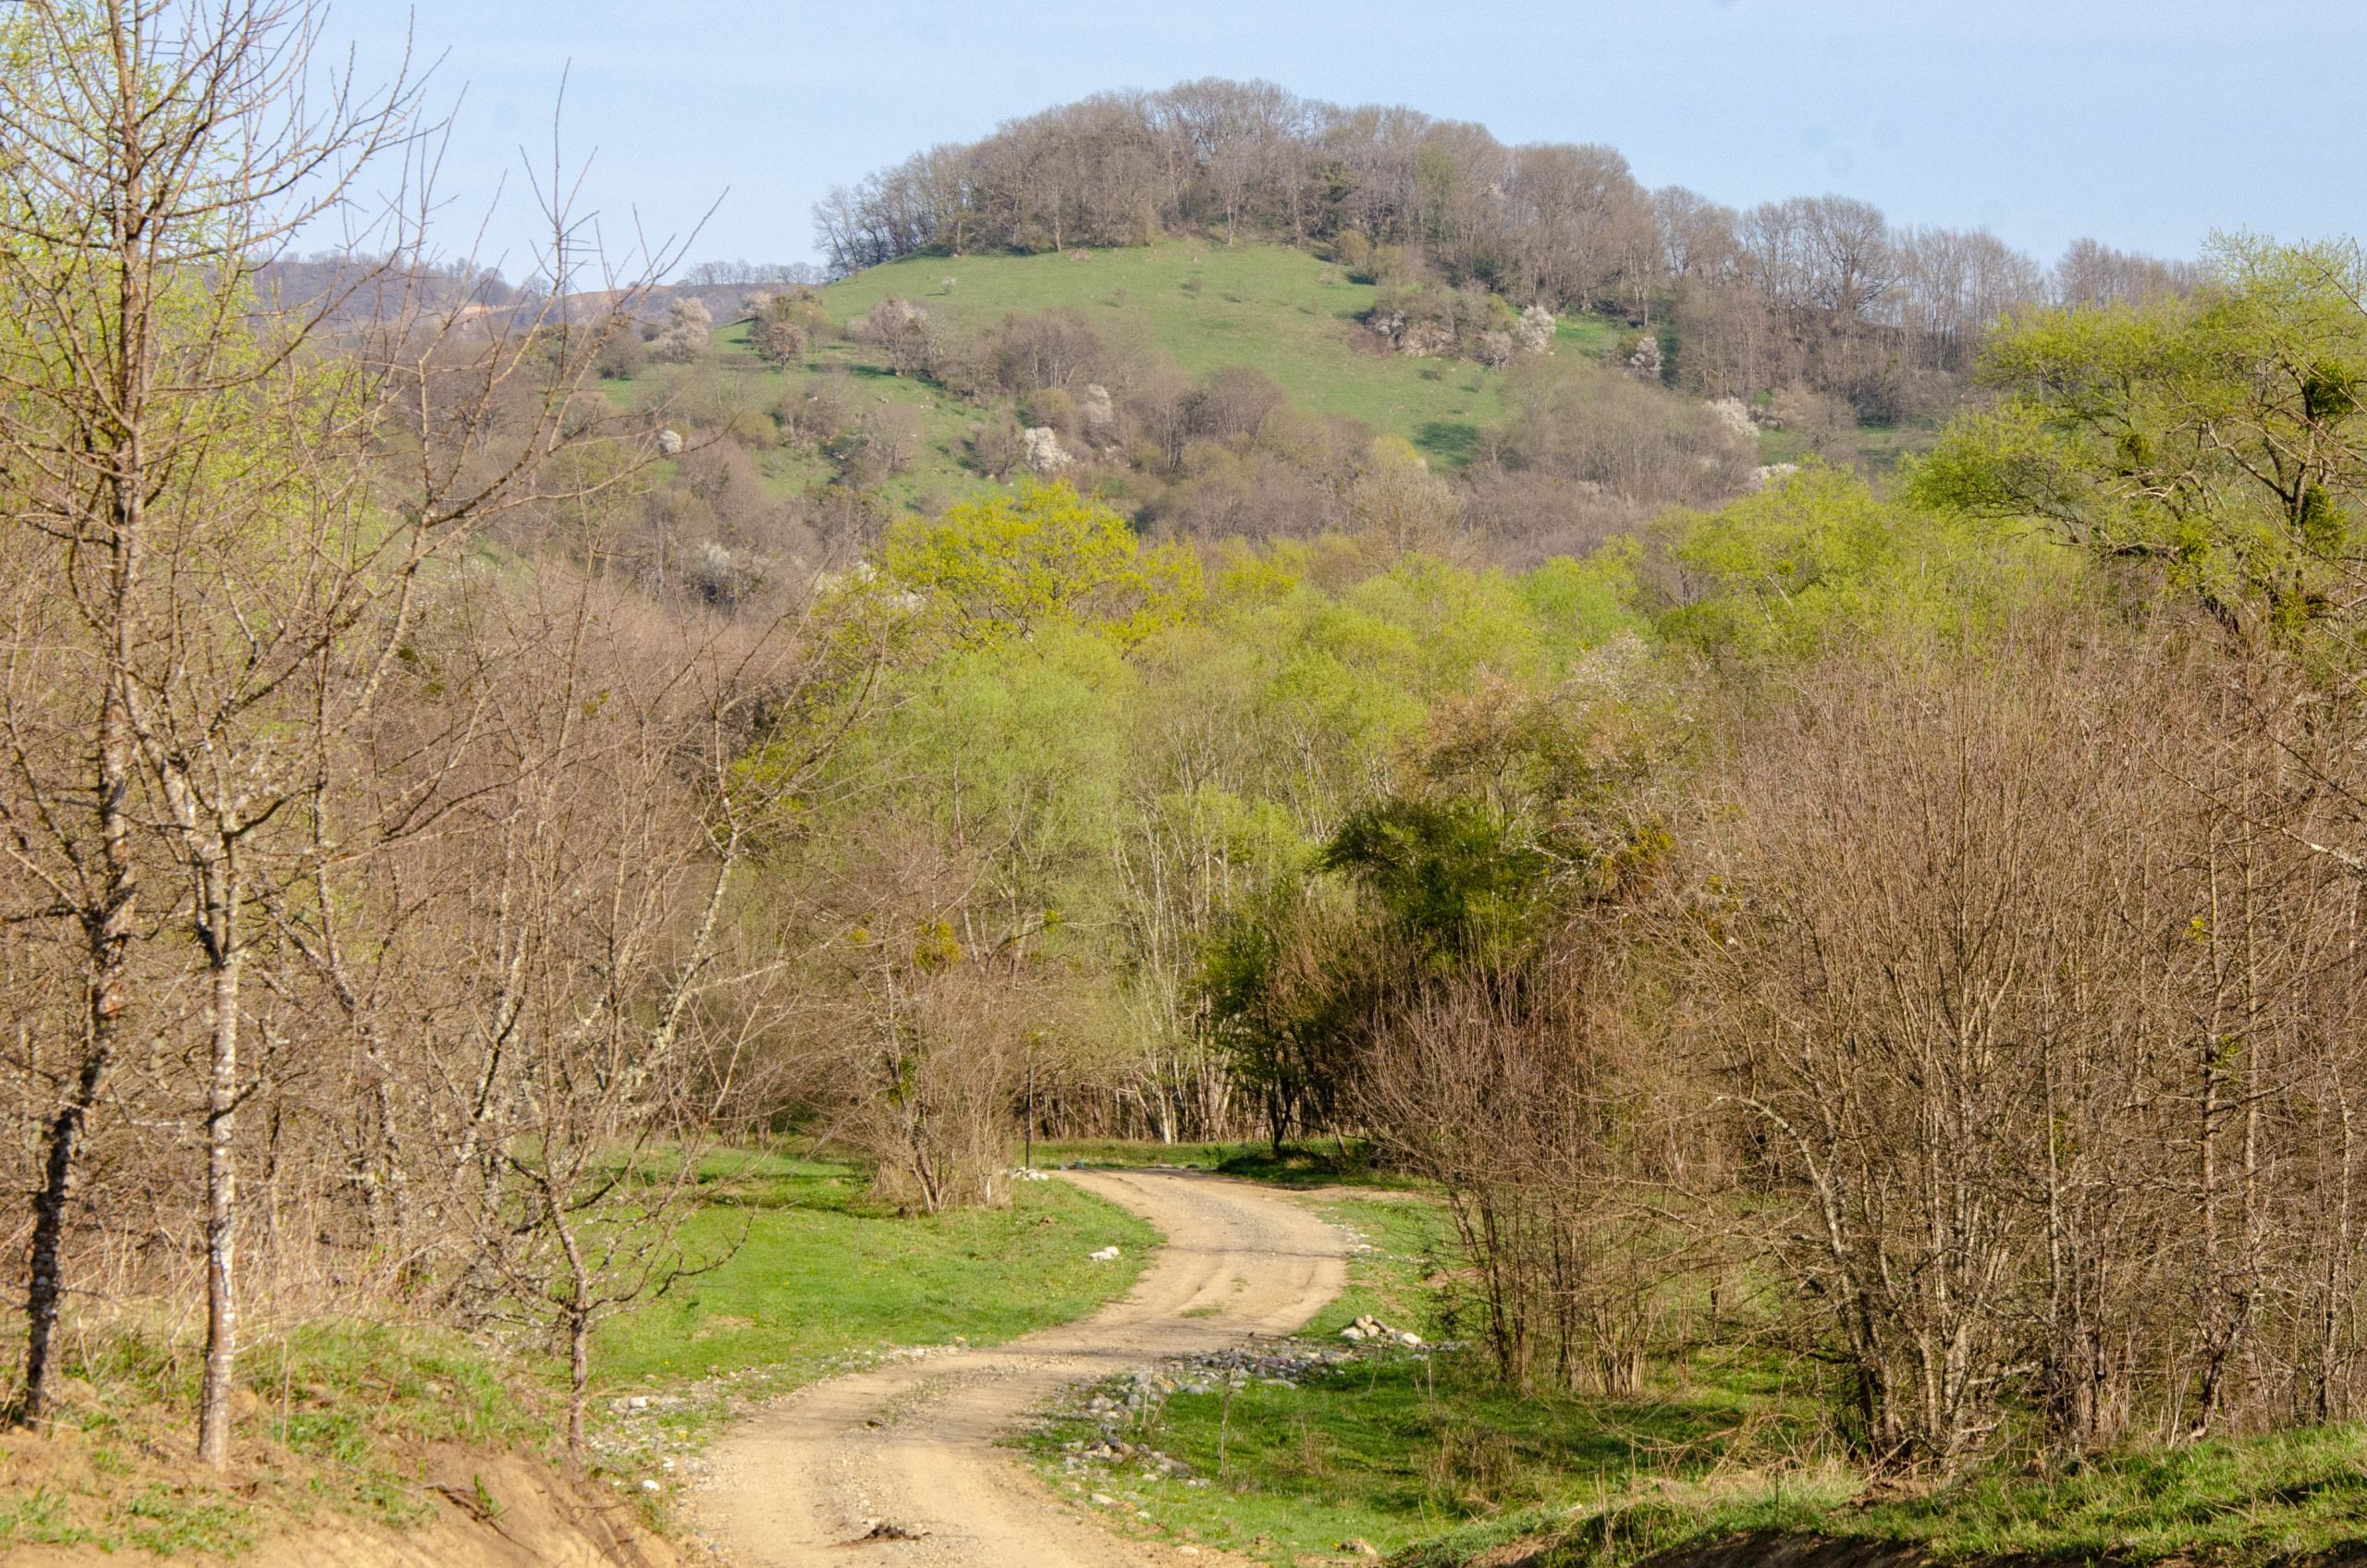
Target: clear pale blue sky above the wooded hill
[2141,124]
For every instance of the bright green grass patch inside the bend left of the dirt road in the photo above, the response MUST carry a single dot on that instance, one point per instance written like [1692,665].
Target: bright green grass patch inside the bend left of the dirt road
[825,1271]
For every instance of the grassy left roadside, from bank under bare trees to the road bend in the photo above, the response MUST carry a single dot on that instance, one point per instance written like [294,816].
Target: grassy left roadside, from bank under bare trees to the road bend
[366,1420]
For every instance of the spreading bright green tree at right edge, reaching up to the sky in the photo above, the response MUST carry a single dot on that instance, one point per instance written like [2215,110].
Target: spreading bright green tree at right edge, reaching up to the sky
[2217,435]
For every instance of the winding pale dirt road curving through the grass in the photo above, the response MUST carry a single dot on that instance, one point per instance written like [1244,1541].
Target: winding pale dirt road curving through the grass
[917,1444]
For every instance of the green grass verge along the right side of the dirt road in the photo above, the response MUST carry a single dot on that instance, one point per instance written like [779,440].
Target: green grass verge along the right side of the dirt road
[1417,1455]
